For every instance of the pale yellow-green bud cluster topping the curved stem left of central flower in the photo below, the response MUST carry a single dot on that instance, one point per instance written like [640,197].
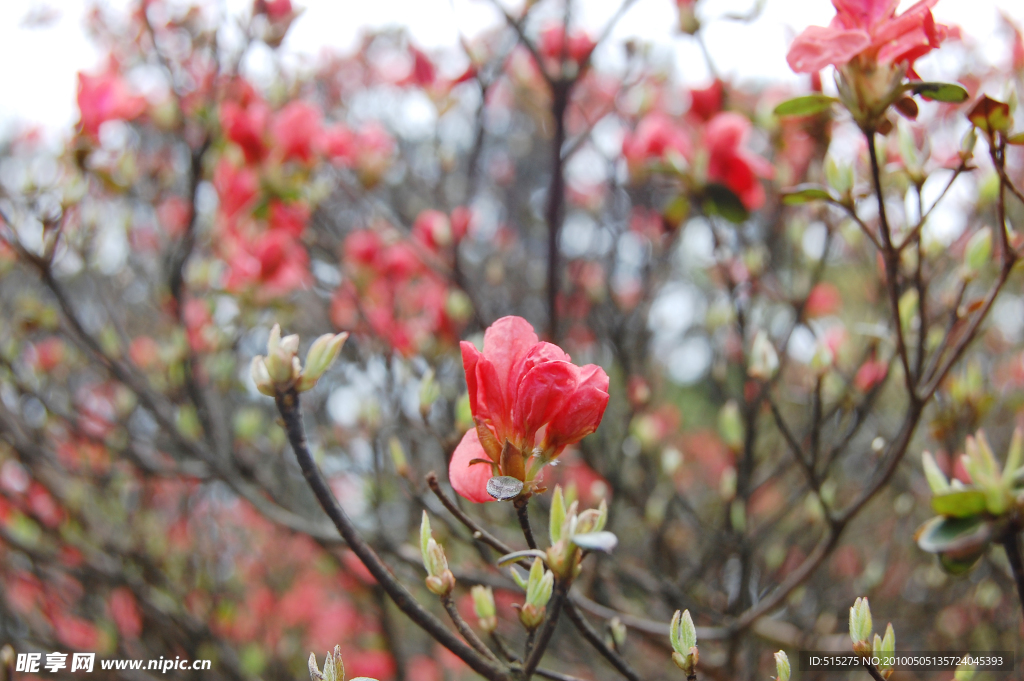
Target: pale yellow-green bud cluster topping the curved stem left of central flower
[281,370]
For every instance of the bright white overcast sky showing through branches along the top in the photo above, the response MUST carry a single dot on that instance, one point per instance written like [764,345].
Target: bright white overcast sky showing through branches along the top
[37,77]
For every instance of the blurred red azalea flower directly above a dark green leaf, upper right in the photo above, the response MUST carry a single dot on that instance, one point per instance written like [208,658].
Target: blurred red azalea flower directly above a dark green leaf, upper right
[731,164]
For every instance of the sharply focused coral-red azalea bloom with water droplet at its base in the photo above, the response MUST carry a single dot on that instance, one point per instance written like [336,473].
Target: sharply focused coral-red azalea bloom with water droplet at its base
[529,402]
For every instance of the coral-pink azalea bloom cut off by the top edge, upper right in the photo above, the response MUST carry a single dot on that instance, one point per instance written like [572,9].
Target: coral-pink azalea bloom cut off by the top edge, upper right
[869,28]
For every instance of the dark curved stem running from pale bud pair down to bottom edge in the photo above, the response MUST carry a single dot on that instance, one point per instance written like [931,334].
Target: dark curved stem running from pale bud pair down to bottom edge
[288,406]
